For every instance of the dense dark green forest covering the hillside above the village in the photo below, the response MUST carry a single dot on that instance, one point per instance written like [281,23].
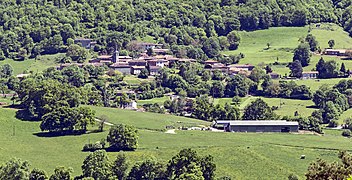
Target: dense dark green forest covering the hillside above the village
[192,28]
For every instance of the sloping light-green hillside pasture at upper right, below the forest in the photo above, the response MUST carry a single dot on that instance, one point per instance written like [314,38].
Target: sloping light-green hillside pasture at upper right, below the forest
[254,45]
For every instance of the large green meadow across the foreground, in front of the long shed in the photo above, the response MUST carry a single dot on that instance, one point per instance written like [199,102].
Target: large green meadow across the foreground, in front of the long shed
[239,155]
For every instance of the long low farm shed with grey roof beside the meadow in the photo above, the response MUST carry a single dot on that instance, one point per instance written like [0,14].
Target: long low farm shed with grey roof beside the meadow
[259,126]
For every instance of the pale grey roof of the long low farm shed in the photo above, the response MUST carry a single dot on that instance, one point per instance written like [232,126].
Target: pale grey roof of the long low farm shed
[259,123]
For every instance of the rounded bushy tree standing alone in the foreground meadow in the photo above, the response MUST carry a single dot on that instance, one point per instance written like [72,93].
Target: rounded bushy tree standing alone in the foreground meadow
[123,137]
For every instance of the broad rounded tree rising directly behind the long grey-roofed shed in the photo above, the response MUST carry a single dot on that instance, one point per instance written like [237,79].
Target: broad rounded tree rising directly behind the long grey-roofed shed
[258,110]
